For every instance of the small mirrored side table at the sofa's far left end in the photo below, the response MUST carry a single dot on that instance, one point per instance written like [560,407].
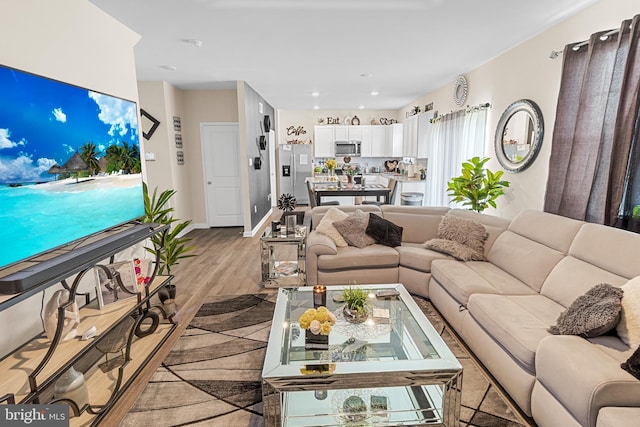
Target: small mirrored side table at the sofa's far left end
[283,258]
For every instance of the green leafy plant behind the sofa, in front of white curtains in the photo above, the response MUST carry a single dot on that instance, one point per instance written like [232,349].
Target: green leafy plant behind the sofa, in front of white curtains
[477,187]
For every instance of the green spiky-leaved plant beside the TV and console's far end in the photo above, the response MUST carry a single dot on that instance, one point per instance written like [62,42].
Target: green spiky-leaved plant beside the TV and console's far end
[174,247]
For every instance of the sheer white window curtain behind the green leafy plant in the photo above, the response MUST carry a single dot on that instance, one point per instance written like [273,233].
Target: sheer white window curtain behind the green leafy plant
[453,139]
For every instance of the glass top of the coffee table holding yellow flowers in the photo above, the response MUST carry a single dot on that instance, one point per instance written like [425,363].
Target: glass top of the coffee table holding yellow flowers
[396,336]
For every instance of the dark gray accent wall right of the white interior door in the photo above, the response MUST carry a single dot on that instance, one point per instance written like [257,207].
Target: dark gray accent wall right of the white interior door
[259,181]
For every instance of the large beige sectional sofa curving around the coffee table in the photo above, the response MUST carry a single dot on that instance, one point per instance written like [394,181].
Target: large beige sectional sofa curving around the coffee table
[536,265]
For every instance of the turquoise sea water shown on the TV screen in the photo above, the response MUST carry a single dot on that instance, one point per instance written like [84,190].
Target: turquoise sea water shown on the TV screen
[36,218]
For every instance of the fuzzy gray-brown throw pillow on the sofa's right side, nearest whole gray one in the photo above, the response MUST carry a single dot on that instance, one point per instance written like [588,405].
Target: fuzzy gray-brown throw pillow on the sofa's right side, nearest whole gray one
[593,314]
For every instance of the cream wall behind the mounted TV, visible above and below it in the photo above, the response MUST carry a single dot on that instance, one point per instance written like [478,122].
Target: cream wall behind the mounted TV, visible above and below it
[63,40]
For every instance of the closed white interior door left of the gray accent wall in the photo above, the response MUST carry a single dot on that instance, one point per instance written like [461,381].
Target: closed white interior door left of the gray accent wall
[222,174]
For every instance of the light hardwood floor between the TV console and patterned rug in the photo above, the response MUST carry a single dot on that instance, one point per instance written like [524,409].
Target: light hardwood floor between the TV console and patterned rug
[226,264]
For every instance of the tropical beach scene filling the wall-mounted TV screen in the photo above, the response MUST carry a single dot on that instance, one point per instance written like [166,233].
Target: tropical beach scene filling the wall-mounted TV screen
[69,163]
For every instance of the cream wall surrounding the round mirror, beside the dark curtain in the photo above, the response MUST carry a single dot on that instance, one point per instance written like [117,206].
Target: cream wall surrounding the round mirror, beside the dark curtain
[527,72]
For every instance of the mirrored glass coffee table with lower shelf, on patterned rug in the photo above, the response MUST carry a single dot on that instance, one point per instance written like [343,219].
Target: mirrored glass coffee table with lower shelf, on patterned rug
[393,369]
